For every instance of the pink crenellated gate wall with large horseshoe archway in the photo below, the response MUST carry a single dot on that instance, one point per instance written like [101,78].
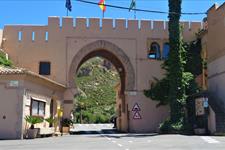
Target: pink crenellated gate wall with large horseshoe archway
[124,42]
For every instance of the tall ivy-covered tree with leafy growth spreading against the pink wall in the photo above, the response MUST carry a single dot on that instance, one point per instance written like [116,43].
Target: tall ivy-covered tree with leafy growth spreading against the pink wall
[178,83]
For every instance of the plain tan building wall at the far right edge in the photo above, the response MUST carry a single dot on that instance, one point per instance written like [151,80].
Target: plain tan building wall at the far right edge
[214,50]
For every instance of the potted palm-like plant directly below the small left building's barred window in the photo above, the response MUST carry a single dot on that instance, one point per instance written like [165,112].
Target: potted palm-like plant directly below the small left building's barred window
[32,120]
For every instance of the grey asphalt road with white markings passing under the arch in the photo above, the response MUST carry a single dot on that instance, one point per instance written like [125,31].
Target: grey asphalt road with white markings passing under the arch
[103,137]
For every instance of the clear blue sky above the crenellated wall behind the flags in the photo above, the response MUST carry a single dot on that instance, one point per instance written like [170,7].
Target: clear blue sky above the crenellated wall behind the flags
[37,11]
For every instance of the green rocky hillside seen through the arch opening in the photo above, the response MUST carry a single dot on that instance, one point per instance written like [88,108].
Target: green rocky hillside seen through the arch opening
[96,80]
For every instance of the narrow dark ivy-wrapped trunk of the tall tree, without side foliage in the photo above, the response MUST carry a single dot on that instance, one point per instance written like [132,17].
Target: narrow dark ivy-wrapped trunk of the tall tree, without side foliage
[175,63]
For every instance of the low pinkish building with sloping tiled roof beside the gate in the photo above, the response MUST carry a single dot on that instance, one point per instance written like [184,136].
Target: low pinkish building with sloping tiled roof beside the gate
[24,93]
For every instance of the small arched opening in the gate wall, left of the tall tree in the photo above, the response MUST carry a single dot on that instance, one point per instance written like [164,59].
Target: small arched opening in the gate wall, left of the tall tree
[154,52]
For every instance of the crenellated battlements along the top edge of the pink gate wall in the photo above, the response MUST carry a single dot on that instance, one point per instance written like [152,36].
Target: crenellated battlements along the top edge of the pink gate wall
[70,25]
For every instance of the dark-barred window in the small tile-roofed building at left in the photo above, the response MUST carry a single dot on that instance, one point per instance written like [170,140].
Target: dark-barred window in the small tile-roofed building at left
[37,108]
